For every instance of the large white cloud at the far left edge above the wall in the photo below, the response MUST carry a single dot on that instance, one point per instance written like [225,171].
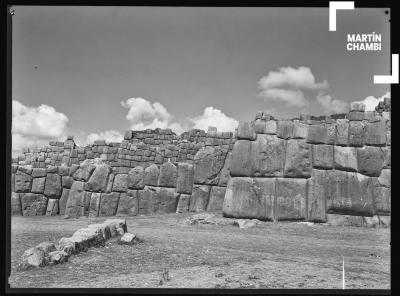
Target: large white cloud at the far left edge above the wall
[35,126]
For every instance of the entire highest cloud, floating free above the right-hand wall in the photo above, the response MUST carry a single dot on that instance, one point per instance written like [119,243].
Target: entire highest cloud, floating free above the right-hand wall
[287,85]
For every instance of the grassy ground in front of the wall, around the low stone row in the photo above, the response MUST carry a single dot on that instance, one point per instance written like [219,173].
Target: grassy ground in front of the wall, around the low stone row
[270,255]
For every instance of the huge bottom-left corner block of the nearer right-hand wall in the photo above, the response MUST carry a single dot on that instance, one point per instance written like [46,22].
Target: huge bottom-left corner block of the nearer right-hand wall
[250,198]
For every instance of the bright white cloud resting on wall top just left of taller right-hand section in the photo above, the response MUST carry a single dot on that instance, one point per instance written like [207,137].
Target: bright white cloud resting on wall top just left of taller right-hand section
[214,117]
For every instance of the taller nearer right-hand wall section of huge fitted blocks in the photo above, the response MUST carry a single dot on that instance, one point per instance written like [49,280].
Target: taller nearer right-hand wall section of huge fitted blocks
[307,169]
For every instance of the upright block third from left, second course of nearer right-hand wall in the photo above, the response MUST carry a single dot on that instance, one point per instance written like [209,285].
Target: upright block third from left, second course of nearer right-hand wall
[298,161]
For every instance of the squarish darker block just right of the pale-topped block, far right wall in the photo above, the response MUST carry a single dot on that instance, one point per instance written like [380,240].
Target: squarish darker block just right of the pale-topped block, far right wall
[370,160]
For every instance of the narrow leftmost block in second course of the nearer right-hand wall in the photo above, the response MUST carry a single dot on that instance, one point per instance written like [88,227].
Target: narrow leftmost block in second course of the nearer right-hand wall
[241,164]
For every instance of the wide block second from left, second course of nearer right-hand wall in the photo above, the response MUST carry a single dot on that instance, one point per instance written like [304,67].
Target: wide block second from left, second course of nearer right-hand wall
[267,156]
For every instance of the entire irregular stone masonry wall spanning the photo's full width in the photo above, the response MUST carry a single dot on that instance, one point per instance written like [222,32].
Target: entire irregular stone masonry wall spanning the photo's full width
[299,169]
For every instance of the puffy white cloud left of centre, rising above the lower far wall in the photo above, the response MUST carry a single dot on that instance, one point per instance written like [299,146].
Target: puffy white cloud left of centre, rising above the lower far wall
[144,114]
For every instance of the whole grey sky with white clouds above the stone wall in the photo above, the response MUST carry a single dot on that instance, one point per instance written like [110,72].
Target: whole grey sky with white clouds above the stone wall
[95,72]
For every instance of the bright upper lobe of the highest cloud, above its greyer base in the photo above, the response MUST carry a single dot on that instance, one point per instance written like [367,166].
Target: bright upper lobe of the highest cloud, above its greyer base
[300,78]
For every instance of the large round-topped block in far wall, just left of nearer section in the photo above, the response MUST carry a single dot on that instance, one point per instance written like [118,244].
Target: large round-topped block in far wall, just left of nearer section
[208,163]
